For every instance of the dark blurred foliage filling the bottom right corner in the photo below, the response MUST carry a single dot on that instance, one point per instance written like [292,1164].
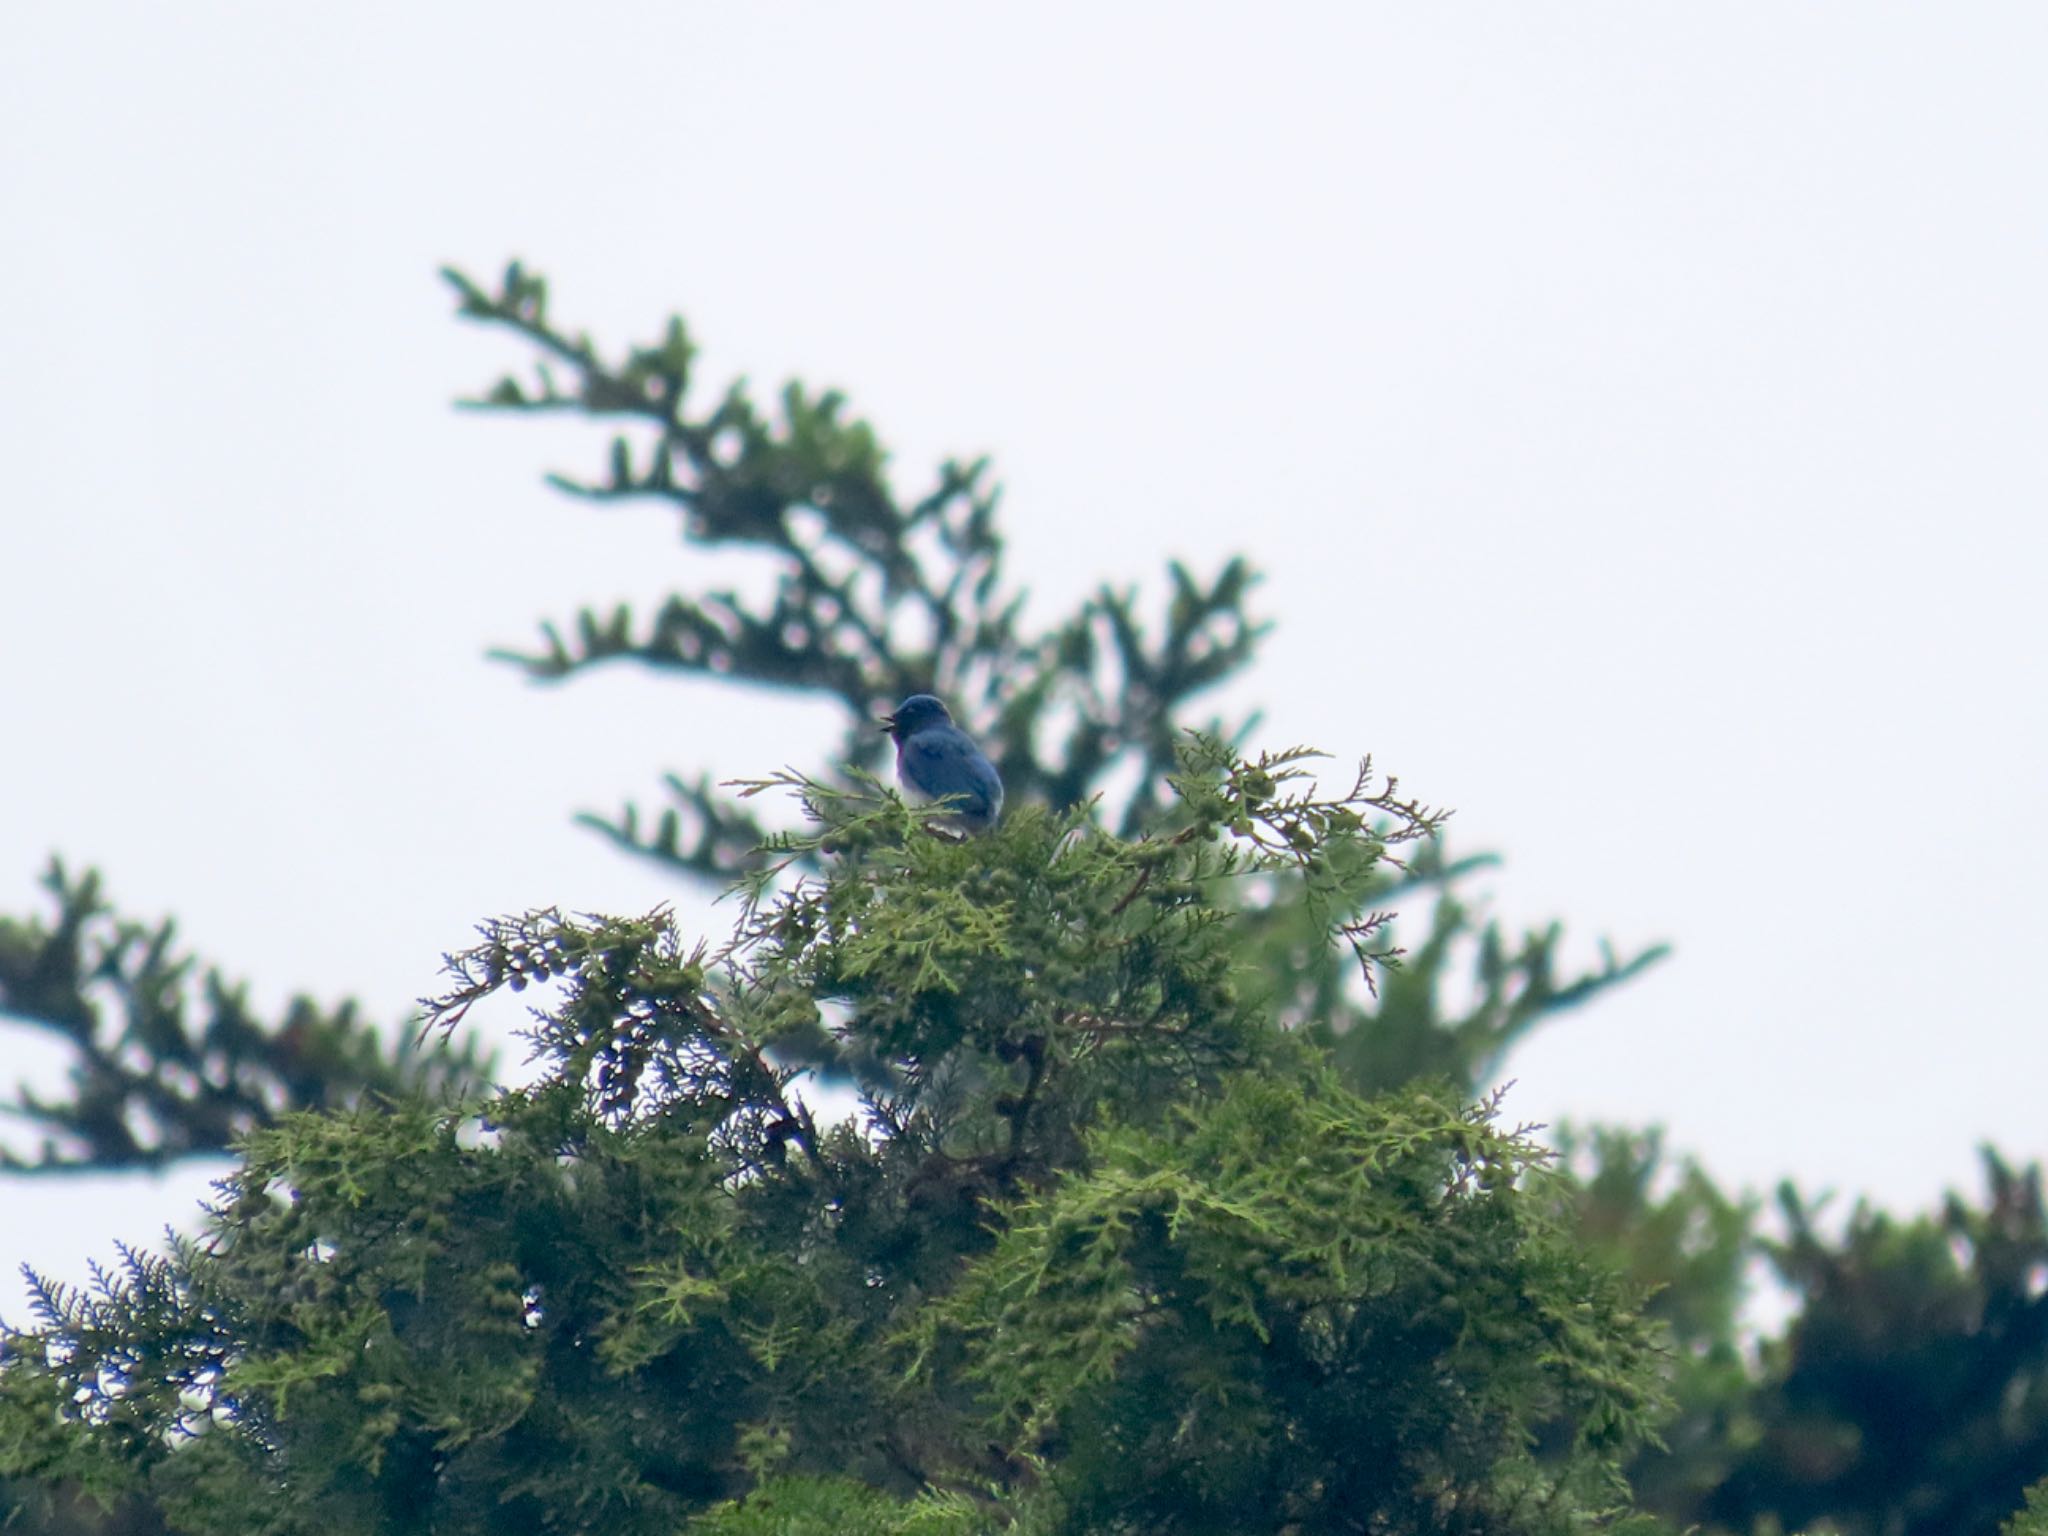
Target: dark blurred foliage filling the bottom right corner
[1904,1400]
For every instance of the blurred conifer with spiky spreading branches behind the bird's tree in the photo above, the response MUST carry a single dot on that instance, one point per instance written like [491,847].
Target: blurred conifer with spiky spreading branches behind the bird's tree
[876,597]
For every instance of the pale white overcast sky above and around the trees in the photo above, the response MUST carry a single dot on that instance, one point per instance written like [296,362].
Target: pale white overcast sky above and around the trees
[1637,411]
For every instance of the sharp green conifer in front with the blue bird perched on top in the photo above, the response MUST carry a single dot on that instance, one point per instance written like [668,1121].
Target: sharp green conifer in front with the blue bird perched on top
[1101,1248]
